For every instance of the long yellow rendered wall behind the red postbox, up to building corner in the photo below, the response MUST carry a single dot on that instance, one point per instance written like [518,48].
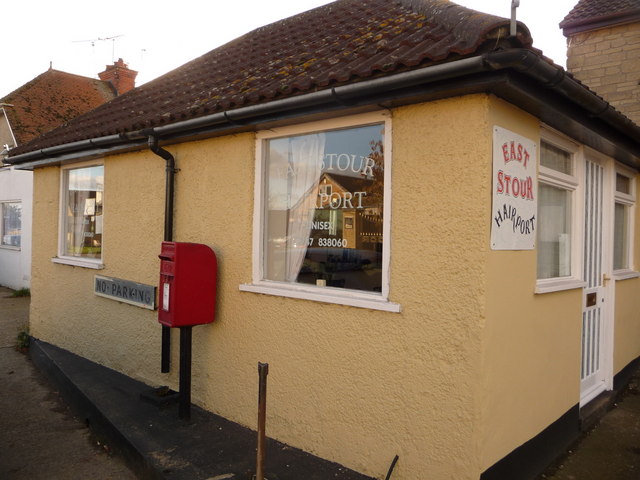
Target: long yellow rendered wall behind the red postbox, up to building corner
[352,385]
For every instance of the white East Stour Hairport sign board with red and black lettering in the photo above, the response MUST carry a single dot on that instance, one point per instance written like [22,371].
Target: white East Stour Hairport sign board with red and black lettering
[515,194]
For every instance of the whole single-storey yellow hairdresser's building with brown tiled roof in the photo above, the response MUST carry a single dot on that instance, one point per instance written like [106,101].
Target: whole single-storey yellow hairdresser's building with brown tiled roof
[487,295]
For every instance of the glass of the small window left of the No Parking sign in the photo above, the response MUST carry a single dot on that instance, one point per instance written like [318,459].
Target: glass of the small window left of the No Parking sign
[83,227]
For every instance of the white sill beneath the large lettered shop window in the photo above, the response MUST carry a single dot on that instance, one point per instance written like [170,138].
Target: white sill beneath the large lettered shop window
[339,298]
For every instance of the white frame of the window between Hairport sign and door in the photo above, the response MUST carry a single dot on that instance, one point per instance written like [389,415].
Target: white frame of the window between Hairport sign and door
[572,184]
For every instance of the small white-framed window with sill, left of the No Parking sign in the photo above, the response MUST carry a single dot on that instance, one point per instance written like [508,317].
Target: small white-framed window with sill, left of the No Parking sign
[81,216]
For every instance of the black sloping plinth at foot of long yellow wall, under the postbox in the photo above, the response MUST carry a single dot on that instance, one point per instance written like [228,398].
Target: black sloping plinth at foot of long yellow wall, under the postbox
[155,443]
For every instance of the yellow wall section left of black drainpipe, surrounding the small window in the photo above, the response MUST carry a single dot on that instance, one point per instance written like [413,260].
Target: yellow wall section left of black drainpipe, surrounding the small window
[64,309]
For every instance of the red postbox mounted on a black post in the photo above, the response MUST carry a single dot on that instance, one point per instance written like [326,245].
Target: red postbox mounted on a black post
[187,291]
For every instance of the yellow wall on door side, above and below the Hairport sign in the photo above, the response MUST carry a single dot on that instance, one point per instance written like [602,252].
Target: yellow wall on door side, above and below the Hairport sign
[527,337]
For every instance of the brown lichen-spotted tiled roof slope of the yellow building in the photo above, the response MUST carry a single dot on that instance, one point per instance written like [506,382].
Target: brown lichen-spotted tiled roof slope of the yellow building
[342,42]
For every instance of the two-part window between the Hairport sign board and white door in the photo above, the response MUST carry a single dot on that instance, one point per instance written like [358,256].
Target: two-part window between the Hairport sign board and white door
[556,213]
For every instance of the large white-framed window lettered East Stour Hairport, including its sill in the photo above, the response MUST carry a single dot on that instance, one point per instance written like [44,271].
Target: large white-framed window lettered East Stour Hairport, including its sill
[323,203]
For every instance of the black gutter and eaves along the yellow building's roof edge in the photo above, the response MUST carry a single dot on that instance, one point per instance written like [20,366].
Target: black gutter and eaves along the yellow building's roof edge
[519,76]
